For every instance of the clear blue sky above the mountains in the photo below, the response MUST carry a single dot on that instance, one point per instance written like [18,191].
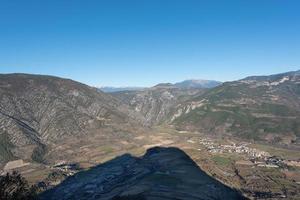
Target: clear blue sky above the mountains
[144,42]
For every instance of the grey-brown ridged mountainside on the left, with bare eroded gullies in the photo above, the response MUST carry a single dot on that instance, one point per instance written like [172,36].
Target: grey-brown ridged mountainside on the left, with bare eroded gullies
[38,110]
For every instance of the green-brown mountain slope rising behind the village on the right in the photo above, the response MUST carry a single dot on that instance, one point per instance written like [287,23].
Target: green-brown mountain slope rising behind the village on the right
[261,108]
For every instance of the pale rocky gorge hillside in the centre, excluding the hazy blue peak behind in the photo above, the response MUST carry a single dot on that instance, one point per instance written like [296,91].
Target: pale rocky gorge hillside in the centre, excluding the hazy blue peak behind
[156,103]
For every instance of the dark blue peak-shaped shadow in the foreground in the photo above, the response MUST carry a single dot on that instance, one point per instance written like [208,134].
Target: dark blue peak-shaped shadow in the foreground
[161,174]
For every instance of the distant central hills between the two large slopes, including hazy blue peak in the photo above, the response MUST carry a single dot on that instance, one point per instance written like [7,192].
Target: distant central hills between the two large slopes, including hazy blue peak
[156,103]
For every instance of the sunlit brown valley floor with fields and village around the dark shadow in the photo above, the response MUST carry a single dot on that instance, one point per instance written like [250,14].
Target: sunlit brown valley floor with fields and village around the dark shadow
[259,171]
